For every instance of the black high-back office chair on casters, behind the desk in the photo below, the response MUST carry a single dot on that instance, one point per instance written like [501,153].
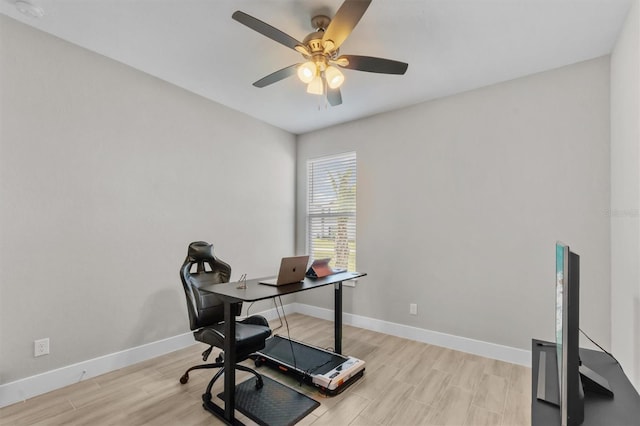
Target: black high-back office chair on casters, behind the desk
[206,313]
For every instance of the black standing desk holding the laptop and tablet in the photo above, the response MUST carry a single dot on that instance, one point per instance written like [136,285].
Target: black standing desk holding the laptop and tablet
[230,294]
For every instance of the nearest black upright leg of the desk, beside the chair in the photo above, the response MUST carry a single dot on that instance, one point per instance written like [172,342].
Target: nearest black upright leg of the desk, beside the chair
[229,363]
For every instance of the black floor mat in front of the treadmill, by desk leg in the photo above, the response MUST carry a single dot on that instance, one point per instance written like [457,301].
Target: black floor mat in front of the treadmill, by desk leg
[273,405]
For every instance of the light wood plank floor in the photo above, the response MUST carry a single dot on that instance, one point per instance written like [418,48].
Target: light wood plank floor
[405,383]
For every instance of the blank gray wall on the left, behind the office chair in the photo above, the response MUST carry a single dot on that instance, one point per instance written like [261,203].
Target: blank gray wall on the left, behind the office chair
[106,175]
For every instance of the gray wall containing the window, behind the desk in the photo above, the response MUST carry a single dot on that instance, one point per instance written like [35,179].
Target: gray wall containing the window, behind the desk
[461,200]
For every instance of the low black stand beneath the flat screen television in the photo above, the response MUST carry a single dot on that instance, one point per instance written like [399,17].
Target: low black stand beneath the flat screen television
[621,410]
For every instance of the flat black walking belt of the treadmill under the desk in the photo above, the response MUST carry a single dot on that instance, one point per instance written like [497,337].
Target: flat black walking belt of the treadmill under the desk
[308,359]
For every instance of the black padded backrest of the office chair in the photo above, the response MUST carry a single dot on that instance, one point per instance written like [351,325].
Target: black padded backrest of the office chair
[204,308]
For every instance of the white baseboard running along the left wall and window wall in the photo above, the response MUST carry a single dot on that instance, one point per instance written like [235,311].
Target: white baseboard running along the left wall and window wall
[26,388]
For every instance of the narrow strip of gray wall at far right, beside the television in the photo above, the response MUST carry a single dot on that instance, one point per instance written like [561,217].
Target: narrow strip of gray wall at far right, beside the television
[625,196]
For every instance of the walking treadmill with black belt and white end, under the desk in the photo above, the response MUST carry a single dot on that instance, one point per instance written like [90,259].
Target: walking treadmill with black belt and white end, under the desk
[329,371]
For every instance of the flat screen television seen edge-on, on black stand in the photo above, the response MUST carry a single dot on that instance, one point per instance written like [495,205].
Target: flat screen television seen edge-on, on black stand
[573,378]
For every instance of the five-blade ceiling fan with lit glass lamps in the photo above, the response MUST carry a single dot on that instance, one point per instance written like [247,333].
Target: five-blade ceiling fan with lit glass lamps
[320,50]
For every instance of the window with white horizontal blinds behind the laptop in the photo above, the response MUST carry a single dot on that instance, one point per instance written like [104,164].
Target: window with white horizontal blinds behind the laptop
[331,209]
